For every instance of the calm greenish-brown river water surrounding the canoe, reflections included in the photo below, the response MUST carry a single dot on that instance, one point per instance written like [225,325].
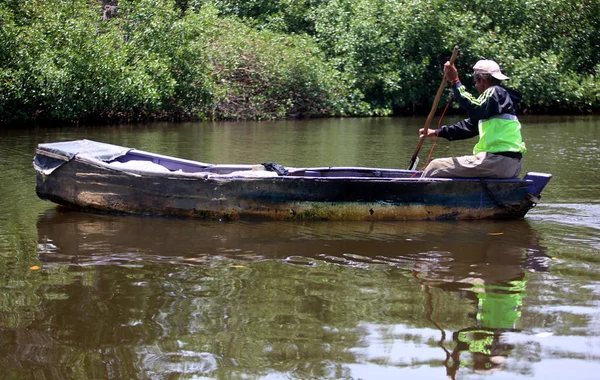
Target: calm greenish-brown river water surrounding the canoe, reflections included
[96,296]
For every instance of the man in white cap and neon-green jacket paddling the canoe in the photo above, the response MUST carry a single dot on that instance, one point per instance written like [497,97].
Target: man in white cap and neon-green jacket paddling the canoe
[491,116]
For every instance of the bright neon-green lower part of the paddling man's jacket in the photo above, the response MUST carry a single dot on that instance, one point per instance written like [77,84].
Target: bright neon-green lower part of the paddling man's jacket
[500,133]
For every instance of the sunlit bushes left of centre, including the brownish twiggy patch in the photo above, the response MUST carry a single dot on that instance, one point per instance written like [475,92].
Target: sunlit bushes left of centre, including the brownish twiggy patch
[63,63]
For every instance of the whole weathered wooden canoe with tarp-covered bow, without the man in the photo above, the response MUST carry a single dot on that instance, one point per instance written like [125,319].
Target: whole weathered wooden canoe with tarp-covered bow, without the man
[98,176]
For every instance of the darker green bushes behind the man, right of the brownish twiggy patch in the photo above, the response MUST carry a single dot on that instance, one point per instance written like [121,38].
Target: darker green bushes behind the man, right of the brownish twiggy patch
[394,49]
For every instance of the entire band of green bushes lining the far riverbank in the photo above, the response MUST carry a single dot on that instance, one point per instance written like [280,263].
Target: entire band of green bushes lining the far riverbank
[66,60]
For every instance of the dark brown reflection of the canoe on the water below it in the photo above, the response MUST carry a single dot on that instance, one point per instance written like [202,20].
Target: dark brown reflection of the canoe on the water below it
[440,249]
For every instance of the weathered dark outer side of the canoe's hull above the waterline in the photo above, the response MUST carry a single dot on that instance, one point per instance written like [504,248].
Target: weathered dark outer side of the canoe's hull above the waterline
[89,184]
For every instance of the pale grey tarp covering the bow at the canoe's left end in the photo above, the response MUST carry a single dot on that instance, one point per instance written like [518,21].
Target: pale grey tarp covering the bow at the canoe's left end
[52,155]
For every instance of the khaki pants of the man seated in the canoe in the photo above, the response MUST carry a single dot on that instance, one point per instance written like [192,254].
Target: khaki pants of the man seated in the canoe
[482,165]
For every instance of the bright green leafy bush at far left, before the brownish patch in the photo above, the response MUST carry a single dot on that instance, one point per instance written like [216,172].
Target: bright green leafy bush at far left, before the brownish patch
[66,65]
